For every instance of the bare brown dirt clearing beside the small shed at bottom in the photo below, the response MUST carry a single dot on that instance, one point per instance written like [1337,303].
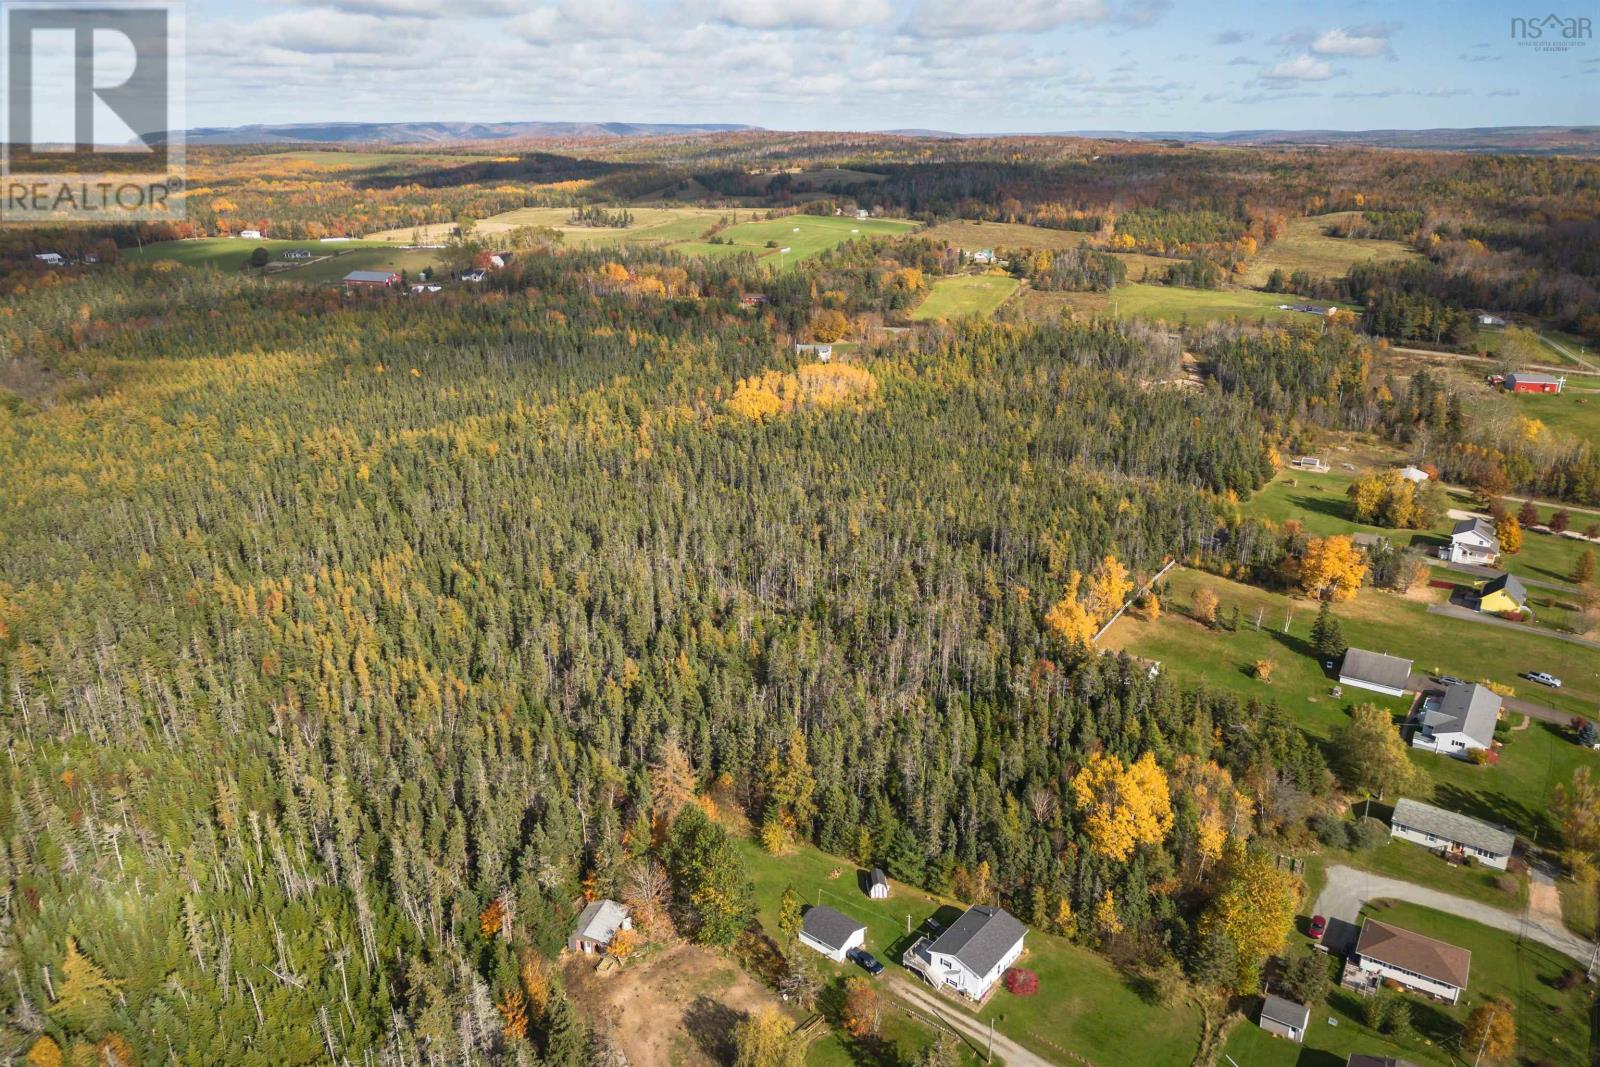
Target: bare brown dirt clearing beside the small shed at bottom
[674,1009]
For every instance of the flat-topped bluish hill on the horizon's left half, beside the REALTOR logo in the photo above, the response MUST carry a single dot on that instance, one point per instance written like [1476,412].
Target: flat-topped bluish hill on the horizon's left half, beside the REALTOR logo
[442,132]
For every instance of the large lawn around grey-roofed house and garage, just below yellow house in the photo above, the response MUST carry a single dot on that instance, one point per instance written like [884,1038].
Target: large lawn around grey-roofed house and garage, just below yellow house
[1535,759]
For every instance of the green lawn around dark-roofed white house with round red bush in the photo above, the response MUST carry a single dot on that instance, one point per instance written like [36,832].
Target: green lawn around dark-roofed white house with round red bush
[1084,1005]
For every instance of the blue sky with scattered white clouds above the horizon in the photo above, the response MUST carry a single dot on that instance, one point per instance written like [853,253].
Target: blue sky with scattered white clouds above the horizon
[964,66]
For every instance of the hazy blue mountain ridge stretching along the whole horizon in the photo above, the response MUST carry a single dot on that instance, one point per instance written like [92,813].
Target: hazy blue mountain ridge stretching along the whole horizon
[1540,140]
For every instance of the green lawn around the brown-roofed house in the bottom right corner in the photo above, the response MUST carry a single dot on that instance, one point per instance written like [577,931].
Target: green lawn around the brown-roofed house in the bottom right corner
[1553,1026]
